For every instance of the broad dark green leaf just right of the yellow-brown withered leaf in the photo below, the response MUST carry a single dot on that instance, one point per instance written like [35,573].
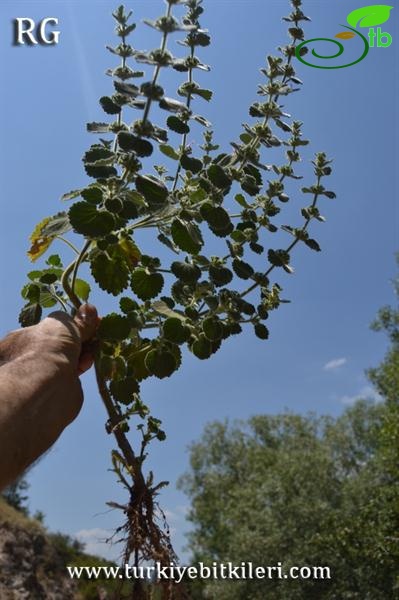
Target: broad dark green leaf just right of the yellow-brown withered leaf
[87,220]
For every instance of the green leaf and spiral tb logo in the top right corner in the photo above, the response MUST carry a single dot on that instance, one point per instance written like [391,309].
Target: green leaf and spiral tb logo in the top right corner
[367,17]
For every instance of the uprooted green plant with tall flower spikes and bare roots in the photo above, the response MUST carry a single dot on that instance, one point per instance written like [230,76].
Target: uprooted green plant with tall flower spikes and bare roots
[195,299]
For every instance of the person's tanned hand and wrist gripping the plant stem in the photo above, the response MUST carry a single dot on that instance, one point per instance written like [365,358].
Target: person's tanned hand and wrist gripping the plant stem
[40,391]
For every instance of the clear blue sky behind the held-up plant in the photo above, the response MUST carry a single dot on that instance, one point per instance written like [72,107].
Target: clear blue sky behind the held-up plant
[320,344]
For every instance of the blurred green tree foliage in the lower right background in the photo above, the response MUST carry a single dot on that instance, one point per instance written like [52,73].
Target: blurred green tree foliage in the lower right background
[304,491]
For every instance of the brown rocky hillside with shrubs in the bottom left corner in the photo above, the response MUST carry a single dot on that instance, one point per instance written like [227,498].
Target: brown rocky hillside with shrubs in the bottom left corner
[32,562]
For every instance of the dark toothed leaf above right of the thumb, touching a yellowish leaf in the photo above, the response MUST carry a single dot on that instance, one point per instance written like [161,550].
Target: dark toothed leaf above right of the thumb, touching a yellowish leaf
[111,273]
